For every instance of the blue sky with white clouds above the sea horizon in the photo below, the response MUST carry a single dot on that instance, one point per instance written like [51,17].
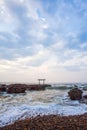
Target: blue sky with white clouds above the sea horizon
[43,39]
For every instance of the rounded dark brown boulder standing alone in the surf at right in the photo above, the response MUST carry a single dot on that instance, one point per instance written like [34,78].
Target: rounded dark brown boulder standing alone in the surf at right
[75,94]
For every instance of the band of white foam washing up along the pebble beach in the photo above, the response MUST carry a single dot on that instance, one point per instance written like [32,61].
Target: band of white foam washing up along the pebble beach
[23,111]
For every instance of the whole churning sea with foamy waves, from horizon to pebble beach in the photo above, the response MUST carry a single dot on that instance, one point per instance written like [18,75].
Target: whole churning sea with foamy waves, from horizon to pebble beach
[52,100]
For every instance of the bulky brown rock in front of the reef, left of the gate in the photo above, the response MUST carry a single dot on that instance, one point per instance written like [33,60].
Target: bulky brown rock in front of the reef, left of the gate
[16,88]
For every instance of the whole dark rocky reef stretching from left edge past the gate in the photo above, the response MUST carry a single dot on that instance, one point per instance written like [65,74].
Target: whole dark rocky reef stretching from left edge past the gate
[21,88]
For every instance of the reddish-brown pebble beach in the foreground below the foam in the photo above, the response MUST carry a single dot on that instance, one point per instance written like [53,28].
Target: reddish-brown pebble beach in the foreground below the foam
[50,122]
